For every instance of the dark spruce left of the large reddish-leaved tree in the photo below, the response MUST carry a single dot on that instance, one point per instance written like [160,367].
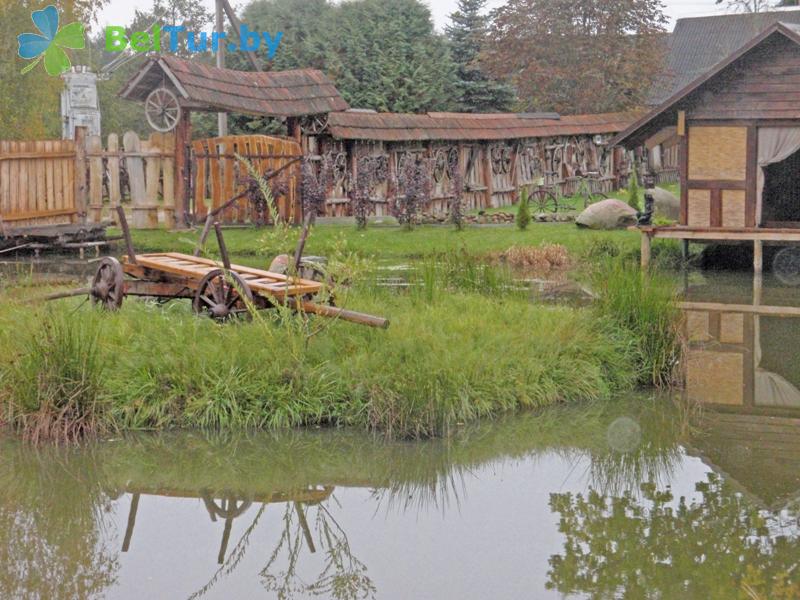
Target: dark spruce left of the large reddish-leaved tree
[477,92]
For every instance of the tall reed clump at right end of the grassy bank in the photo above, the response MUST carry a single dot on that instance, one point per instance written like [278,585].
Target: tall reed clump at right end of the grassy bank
[642,308]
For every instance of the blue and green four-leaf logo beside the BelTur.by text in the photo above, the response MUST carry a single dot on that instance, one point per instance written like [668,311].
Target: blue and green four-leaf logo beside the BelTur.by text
[50,43]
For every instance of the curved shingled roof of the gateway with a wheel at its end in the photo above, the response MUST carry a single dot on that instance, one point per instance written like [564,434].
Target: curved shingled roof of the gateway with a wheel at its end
[271,93]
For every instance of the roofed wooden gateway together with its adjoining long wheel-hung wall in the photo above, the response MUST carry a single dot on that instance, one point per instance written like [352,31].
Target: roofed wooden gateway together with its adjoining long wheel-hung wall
[495,154]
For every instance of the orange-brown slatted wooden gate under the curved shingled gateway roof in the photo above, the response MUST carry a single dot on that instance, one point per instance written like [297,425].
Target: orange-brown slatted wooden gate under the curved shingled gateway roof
[218,175]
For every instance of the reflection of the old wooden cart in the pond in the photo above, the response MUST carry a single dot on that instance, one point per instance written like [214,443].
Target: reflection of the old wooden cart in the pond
[229,506]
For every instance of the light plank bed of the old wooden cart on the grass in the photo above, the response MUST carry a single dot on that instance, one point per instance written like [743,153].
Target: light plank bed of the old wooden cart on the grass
[194,268]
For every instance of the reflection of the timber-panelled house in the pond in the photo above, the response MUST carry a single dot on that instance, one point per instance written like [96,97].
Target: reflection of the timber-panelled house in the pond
[743,363]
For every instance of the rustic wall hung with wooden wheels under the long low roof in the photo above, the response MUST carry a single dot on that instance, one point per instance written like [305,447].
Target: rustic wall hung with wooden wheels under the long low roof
[492,173]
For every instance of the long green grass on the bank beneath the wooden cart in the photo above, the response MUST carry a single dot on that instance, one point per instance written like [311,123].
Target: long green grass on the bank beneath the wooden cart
[456,357]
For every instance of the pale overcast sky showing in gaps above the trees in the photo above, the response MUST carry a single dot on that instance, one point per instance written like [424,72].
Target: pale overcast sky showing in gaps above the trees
[120,12]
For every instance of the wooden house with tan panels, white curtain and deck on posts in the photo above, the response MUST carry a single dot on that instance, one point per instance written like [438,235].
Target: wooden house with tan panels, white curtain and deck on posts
[737,128]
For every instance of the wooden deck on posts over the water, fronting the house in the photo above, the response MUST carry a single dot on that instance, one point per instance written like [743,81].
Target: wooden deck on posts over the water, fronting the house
[757,235]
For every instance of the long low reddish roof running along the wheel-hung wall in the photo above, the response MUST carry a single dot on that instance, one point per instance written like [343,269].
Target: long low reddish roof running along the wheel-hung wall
[358,125]
